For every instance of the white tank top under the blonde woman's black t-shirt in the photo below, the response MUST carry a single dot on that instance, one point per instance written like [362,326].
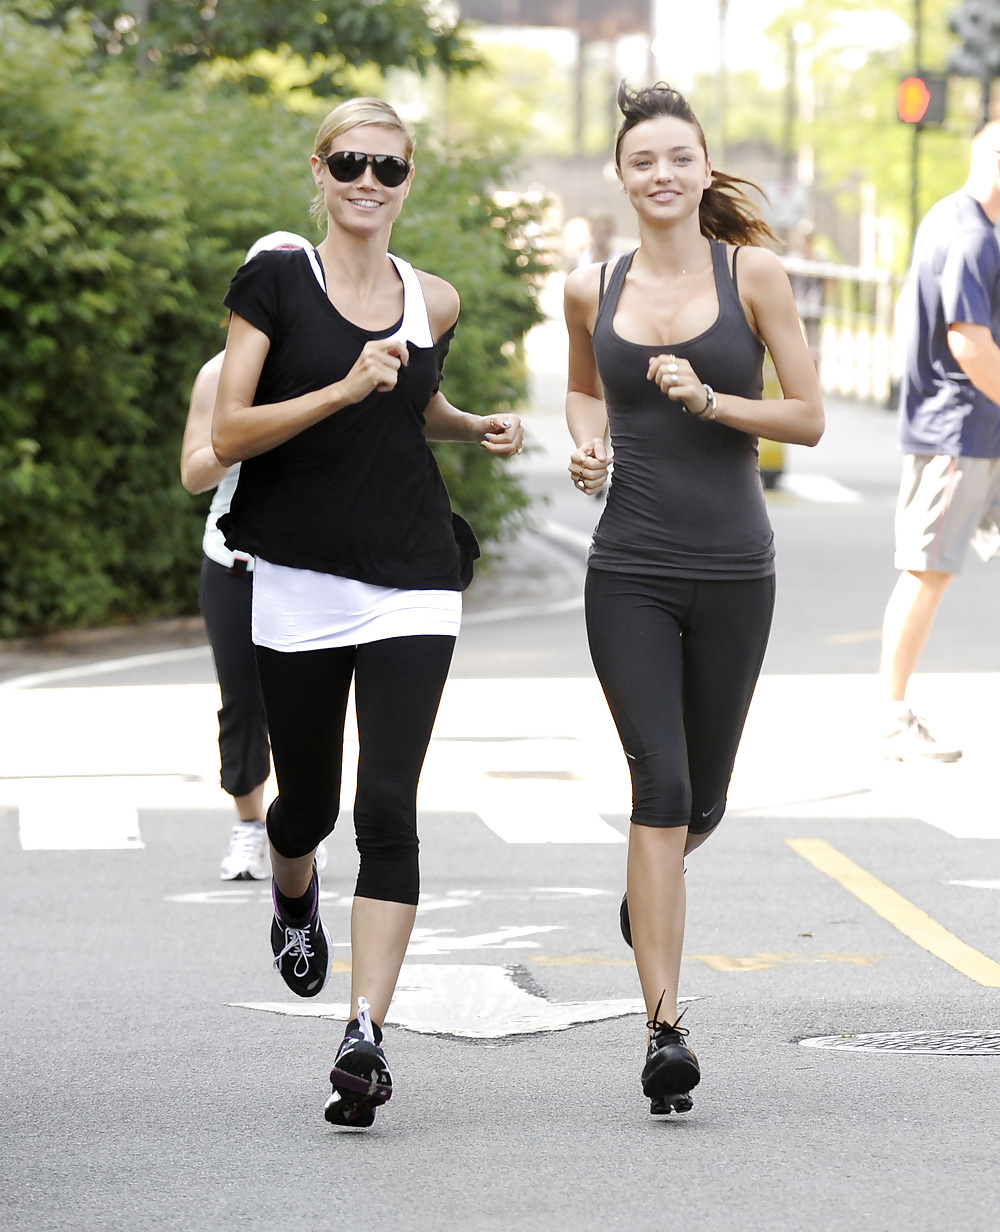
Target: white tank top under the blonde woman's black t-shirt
[305,610]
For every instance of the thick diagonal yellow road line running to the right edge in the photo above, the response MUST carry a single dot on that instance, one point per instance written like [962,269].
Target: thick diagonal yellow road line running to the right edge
[900,912]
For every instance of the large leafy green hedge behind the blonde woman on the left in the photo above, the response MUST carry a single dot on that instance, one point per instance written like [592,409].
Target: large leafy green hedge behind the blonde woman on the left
[125,208]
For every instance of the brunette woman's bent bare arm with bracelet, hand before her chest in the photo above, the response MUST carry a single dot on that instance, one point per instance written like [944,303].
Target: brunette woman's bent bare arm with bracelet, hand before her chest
[797,417]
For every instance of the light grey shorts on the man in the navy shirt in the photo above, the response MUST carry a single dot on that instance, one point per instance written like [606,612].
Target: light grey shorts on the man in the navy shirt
[945,505]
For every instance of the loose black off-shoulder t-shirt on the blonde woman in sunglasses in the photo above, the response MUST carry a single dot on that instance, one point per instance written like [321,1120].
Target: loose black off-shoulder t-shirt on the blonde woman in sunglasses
[359,495]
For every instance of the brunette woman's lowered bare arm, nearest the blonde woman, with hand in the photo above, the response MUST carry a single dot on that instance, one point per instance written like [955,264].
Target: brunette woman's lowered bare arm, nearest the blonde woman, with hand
[587,413]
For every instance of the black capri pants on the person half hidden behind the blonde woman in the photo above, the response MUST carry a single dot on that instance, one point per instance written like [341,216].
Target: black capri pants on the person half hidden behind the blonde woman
[226,601]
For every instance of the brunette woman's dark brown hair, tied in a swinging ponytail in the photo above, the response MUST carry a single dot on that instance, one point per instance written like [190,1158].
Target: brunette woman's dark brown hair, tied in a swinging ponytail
[727,213]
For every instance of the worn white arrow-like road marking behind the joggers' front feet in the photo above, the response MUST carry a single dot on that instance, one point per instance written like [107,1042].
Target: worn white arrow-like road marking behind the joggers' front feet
[471,1002]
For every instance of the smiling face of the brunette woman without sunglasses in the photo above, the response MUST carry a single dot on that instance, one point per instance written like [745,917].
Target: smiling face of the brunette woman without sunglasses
[664,169]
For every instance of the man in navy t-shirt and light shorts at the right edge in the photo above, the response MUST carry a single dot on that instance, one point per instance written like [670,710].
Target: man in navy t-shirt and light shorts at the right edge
[949,428]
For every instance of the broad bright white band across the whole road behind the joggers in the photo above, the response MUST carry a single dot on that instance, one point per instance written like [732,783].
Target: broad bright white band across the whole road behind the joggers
[156,747]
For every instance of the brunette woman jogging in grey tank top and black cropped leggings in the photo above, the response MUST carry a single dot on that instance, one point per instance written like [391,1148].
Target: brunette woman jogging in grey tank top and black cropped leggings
[667,352]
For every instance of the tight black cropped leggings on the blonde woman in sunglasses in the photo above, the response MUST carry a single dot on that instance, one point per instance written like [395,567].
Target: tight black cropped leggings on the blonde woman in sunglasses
[398,686]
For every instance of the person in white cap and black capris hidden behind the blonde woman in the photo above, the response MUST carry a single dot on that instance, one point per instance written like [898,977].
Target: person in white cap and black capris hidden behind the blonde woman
[225,598]
